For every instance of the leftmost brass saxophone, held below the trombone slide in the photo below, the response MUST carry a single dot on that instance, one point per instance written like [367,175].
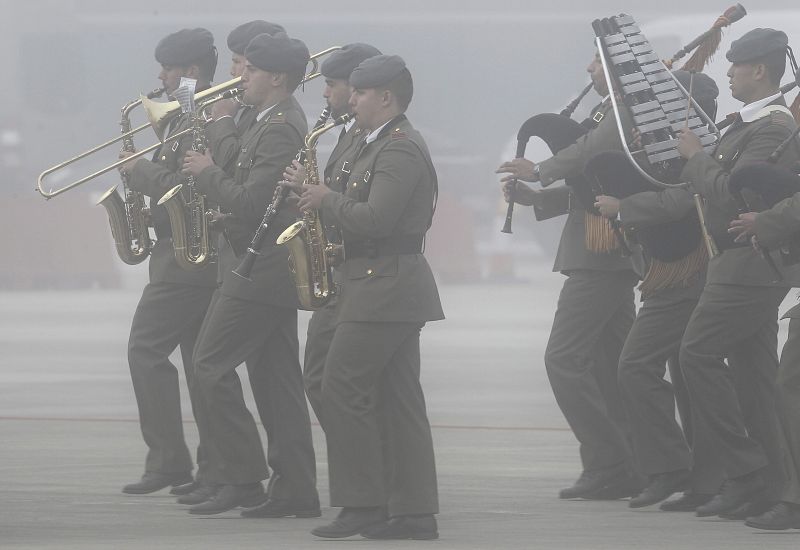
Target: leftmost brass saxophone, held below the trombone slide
[128,217]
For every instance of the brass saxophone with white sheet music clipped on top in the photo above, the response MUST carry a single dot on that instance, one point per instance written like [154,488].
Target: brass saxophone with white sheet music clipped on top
[191,240]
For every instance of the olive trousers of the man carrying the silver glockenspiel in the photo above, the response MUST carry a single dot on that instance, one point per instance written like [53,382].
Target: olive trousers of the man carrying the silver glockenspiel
[733,404]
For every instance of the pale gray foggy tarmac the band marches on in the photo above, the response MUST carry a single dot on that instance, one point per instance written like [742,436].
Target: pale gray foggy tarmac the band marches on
[69,439]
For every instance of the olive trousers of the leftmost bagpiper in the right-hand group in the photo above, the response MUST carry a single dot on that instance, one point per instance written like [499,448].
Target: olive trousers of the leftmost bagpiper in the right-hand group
[594,314]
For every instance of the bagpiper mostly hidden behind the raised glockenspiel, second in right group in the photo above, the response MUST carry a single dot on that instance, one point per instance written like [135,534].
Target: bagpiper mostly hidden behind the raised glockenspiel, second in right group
[669,293]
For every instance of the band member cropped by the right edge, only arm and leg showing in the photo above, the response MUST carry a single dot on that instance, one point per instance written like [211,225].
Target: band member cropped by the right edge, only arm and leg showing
[774,228]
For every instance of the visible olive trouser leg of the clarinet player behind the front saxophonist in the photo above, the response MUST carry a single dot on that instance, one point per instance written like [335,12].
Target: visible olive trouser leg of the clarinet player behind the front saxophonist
[321,328]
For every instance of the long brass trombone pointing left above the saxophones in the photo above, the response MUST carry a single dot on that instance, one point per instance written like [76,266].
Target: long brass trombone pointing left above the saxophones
[159,116]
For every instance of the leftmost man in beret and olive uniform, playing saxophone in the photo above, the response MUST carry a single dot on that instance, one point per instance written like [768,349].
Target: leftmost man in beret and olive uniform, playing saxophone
[174,302]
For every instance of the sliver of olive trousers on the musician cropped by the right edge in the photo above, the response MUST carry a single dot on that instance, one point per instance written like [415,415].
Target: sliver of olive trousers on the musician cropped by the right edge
[788,391]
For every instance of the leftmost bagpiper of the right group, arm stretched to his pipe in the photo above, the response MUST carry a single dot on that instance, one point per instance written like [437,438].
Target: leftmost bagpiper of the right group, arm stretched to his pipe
[595,312]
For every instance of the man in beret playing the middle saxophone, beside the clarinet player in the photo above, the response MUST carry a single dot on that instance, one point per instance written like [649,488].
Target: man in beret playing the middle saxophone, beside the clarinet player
[243,314]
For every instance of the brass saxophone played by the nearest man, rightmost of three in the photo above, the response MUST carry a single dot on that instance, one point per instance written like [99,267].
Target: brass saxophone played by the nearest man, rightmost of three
[310,255]
